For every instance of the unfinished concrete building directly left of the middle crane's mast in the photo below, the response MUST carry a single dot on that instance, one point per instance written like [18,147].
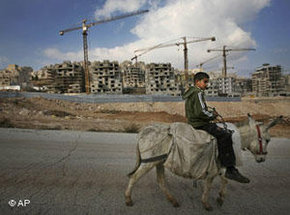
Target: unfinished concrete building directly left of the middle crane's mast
[161,80]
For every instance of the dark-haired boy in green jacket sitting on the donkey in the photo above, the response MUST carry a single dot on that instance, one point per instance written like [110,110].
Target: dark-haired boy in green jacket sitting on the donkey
[200,117]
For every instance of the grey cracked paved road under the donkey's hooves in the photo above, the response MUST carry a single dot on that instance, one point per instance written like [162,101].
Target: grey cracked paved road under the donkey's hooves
[65,172]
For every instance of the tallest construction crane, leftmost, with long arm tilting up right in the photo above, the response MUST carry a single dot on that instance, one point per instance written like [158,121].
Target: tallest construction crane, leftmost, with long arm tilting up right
[85,27]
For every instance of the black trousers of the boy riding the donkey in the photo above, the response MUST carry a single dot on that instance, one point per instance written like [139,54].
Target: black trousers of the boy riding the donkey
[226,153]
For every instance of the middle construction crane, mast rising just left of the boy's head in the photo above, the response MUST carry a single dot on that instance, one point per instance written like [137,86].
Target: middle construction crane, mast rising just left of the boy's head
[185,50]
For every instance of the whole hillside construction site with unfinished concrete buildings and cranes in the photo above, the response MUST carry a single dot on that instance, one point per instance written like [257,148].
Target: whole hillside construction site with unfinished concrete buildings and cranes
[153,78]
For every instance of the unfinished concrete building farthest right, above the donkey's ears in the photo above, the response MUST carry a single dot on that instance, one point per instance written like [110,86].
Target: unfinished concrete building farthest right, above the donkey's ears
[267,80]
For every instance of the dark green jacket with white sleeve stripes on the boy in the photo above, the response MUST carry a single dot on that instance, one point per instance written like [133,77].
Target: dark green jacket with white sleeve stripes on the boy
[196,110]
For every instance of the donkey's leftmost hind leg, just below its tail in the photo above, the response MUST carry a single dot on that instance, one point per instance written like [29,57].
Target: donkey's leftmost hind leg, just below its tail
[142,170]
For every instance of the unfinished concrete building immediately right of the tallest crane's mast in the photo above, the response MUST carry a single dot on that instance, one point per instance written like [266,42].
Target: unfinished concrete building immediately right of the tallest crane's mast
[105,77]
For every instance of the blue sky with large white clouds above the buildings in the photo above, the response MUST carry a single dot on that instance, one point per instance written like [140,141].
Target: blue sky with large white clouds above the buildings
[29,31]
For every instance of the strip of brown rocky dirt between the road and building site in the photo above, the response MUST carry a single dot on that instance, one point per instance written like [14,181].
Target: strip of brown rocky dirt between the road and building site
[40,113]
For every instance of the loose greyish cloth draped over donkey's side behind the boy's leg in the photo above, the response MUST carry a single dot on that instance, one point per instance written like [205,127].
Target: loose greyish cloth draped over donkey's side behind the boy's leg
[193,153]
